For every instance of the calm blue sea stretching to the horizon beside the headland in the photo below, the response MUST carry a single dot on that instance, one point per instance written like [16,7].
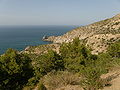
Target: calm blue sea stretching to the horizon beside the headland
[19,37]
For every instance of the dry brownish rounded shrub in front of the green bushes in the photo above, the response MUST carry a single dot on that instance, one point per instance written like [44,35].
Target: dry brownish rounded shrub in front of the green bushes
[60,78]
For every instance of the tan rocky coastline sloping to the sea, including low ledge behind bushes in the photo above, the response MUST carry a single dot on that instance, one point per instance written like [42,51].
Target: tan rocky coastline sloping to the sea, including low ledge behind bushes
[98,36]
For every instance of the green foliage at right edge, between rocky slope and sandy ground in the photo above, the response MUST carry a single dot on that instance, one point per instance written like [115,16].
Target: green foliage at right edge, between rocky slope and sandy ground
[111,58]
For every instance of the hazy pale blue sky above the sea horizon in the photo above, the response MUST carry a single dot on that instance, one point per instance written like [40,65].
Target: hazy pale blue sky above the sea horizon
[56,12]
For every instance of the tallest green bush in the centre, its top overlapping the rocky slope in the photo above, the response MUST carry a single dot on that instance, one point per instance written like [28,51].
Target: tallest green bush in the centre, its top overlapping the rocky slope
[74,55]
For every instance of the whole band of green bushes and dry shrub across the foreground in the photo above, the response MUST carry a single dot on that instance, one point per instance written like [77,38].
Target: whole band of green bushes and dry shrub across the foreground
[74,65]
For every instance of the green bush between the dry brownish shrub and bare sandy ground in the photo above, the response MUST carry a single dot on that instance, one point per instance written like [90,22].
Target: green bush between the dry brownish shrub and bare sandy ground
[91,76]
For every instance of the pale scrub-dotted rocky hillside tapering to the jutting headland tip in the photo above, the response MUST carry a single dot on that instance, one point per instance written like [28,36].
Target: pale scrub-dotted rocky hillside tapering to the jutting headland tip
[97,35]
